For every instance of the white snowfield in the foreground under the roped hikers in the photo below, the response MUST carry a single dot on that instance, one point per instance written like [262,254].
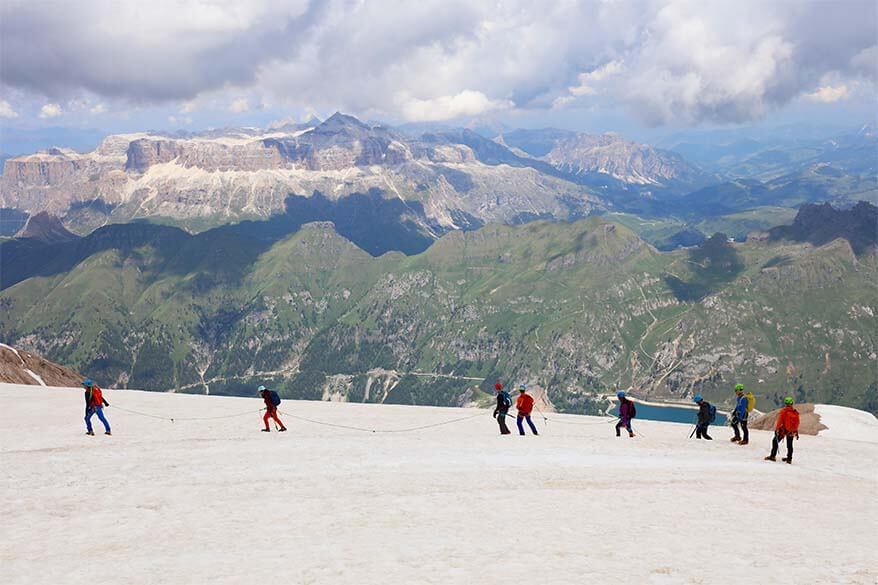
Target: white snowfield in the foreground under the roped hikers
[220,502]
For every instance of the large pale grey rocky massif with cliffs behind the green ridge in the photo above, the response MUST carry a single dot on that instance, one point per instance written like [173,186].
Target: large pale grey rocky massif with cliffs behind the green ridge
[219,177]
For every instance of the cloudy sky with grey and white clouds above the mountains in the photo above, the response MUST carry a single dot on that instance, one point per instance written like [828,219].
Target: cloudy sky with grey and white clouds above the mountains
[600,64]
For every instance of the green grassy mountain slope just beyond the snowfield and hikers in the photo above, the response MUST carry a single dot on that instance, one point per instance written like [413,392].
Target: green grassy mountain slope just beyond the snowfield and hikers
[576,309]
